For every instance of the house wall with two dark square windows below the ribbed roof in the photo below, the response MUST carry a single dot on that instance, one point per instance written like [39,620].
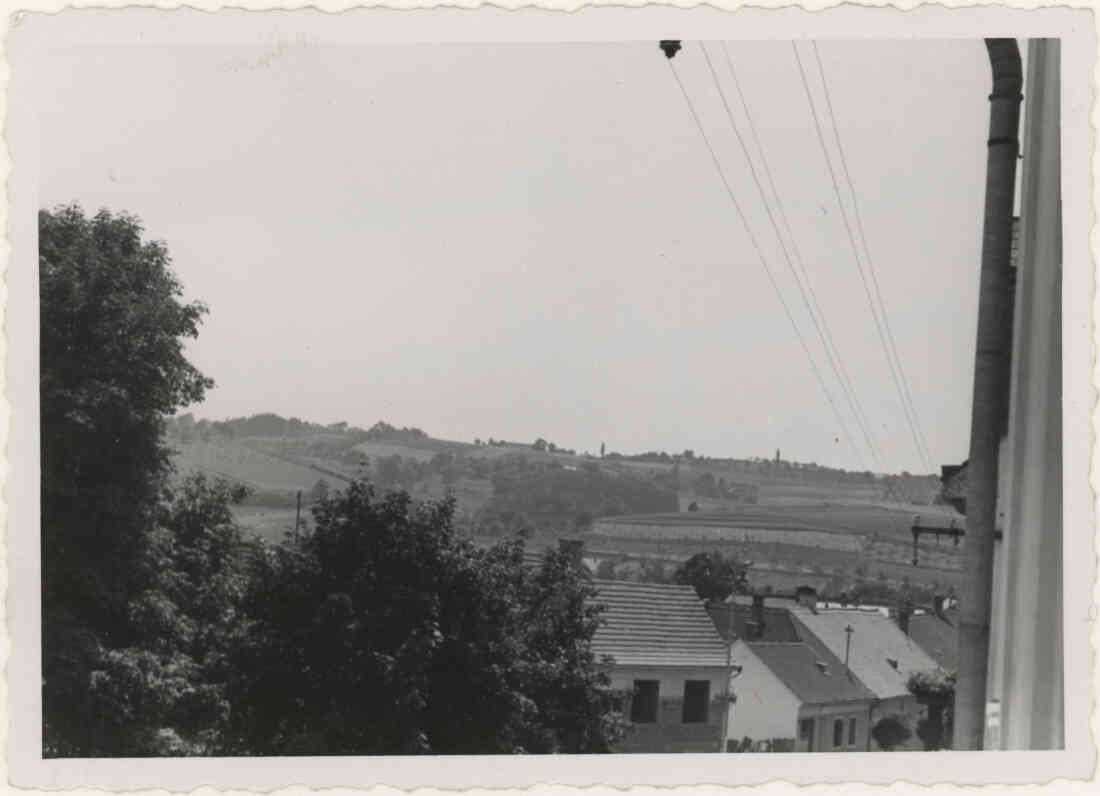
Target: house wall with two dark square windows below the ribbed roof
[672,710]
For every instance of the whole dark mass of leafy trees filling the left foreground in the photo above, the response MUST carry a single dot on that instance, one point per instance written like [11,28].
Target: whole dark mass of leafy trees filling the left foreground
[167,634]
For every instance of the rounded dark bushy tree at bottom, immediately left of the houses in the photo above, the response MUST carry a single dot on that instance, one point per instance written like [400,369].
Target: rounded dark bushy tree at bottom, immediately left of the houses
[382,632]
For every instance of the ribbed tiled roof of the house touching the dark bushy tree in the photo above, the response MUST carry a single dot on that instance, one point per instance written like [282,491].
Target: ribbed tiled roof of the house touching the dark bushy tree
[656,625]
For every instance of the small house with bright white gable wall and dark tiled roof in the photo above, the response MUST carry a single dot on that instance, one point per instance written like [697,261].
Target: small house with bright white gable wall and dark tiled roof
[797,698]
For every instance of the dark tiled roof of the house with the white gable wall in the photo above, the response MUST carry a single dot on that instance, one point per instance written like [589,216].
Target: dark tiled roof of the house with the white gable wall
[816,677]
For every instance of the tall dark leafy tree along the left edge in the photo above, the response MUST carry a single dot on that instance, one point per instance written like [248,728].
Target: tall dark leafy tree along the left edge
[113,368]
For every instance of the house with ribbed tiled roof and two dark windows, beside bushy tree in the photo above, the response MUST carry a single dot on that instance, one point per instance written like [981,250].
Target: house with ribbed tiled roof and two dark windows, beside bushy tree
[663,651]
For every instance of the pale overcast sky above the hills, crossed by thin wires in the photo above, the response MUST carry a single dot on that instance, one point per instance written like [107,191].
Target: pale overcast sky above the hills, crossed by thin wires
[521,241]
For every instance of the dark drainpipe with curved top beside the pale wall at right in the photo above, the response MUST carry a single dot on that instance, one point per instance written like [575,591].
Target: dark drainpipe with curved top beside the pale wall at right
[992,379]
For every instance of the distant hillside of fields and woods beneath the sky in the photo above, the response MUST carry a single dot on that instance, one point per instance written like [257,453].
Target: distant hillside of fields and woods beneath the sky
[795,521]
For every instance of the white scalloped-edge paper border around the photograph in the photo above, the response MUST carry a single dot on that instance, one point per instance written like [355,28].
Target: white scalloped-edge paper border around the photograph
[30,25]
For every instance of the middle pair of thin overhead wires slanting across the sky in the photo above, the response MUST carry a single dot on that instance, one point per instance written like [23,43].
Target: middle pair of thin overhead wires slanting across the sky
[832,355]
